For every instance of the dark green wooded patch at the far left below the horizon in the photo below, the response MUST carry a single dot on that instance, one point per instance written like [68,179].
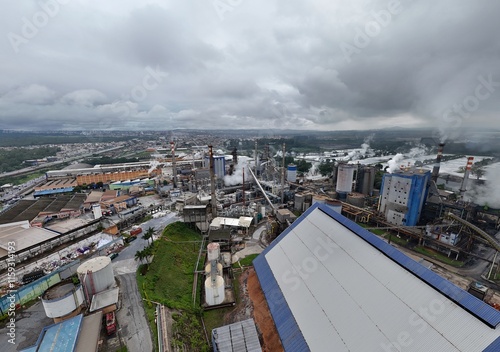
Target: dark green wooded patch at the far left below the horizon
[11,160]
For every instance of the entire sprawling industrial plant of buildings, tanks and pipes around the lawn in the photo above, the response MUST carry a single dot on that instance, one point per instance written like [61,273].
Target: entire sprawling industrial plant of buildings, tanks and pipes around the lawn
[390,246]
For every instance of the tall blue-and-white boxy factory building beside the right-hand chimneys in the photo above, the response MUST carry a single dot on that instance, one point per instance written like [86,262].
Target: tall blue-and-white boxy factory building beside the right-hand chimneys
[403,195]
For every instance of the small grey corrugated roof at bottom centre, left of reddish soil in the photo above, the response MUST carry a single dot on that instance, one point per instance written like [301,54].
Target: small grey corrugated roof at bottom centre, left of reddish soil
[237,337]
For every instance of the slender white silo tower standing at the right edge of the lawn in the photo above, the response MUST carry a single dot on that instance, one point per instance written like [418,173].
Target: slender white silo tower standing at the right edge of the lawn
[214,283]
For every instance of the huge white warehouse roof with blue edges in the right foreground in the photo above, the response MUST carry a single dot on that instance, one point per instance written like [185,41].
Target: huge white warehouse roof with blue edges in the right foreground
[335,286]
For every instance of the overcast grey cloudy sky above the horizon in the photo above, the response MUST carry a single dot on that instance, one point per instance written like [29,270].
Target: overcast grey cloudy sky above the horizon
[298,64]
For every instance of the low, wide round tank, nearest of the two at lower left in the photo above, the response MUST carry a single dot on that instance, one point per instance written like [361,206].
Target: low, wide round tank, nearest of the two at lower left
[63,300]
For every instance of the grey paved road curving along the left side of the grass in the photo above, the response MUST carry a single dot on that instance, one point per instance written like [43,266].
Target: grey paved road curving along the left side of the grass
[131,317]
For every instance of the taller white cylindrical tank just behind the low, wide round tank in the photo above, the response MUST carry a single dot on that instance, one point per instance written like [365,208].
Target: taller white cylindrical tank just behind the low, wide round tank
[96,275]
